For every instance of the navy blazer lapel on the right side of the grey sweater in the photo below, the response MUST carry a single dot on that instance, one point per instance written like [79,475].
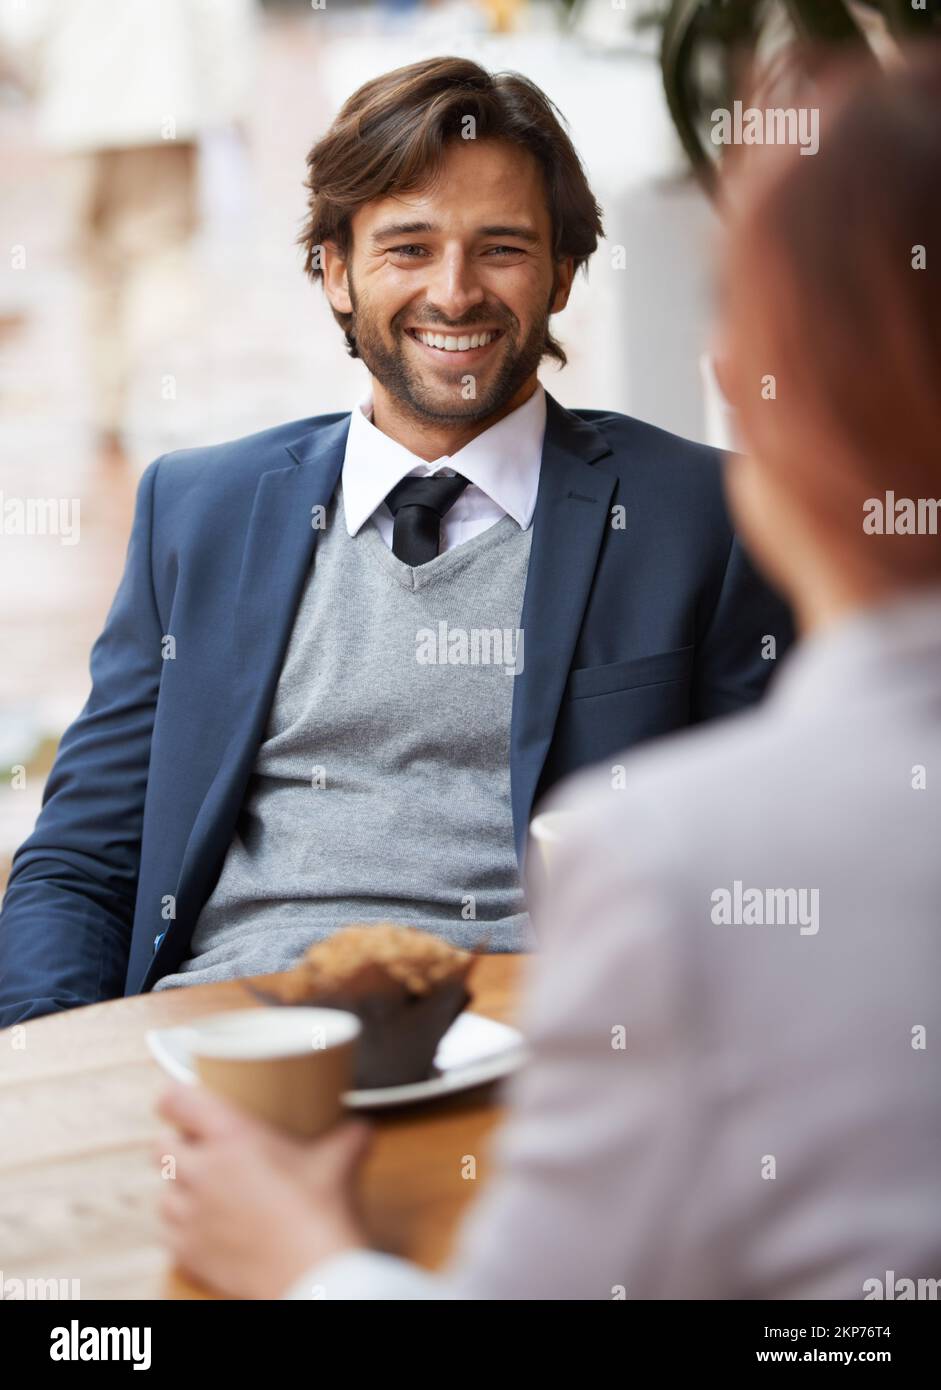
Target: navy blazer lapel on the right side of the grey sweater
[568,530]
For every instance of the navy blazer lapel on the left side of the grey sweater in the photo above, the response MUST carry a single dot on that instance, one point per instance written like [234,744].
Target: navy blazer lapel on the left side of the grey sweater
[277,557]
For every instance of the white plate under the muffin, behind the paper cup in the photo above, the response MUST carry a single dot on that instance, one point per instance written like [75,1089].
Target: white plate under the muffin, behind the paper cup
[473,1050]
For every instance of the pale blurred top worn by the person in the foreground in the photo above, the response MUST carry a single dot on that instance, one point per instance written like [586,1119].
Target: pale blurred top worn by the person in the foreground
[769,1128]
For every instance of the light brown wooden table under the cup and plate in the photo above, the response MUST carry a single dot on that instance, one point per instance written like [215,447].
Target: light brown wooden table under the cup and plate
[79,1181]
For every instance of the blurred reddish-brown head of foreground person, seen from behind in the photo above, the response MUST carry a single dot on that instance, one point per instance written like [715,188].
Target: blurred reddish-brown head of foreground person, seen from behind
[825,251]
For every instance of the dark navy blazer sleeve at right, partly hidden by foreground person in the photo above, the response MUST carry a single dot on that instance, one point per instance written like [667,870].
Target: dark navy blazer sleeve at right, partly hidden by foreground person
[733,661]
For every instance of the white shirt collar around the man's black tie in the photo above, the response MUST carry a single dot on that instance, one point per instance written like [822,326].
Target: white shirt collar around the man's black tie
[502,465]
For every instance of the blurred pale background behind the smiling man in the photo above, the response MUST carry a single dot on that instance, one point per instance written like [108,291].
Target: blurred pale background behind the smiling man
[152,162]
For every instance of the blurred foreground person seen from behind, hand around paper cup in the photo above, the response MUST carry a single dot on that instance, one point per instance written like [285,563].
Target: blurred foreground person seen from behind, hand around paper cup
[758,908]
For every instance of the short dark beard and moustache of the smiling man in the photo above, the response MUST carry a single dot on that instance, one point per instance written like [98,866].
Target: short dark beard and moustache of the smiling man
[405,383]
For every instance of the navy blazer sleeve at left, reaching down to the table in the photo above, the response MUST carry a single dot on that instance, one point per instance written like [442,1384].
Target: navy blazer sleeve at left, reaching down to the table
[69,910]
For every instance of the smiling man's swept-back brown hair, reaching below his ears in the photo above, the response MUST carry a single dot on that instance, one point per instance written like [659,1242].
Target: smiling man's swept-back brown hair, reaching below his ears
[391,136]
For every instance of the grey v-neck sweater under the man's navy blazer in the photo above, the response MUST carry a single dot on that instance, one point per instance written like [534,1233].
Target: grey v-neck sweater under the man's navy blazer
[382,790]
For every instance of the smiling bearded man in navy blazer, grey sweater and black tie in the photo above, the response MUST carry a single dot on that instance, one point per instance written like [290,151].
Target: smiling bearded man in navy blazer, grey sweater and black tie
[348,654]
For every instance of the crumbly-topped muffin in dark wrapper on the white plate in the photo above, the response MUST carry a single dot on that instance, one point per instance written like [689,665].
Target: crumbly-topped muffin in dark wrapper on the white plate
[405,986]
